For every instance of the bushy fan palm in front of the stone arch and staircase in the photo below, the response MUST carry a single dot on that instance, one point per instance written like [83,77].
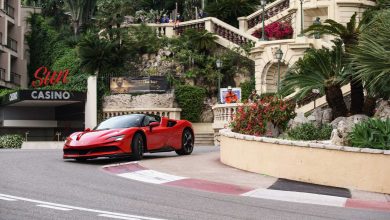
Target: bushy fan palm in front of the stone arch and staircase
[320,69]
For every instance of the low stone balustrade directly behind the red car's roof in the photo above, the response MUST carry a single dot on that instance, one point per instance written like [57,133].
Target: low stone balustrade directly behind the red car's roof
[172,113]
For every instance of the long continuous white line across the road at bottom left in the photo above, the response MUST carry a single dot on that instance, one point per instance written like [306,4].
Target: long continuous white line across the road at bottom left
[78,208]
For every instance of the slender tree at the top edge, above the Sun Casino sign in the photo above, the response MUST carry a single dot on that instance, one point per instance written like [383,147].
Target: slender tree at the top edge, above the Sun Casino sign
[81,12]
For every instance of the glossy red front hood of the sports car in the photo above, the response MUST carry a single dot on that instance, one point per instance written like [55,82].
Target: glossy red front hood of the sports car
[94,137]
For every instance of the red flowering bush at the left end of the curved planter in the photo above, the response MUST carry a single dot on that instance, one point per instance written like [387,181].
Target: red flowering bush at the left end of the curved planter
[252,118]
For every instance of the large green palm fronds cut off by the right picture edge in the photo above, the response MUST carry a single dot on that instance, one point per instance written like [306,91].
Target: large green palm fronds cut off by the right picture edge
[371,56]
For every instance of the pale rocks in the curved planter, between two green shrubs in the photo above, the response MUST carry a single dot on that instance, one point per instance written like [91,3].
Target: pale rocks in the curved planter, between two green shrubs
[342,126]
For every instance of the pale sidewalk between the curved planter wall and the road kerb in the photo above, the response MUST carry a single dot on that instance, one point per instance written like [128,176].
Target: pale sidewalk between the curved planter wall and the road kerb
[207,166]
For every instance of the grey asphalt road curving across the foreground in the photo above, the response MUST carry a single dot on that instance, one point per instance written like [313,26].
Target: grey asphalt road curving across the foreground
[38,184]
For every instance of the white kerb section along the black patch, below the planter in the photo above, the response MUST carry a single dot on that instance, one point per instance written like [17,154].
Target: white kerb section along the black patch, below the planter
[299,197]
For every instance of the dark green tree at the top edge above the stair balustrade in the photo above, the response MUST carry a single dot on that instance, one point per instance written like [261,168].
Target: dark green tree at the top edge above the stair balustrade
[230,10]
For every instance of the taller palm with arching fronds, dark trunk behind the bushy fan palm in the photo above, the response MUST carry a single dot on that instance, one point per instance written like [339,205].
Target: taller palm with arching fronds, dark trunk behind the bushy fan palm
[349,34]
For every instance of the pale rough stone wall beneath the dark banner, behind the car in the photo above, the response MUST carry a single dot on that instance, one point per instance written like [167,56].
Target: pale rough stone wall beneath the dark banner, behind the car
[165,100]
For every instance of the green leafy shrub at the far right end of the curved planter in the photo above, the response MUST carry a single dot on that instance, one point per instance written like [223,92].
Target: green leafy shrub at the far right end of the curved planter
[373,133]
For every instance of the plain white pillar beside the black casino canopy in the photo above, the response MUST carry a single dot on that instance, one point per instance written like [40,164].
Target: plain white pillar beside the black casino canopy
[91,103]
